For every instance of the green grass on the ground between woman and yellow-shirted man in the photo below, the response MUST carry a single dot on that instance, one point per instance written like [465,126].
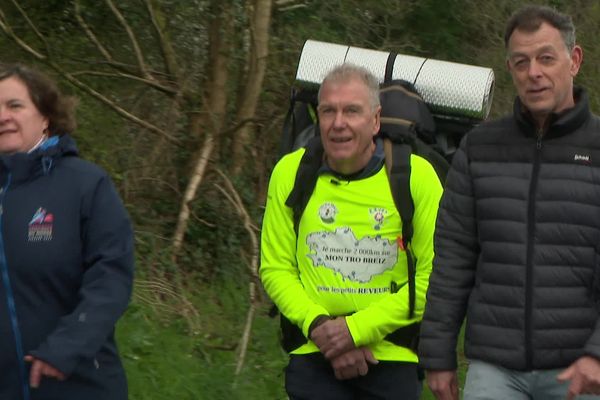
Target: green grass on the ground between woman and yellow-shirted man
[166,359]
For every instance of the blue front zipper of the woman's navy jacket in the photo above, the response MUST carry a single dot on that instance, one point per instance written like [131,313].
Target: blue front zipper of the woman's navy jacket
[10,300]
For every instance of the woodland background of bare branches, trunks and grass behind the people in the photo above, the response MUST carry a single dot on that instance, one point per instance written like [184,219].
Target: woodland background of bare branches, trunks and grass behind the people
[182,101]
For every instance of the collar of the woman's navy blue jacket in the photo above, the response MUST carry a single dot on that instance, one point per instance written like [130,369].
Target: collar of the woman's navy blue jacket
[26,166]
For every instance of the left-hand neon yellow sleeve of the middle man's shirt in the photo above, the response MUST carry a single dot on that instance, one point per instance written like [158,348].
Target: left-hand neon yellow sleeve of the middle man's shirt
[278,270]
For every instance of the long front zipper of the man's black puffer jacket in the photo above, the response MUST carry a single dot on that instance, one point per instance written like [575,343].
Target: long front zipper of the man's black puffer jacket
[529,263]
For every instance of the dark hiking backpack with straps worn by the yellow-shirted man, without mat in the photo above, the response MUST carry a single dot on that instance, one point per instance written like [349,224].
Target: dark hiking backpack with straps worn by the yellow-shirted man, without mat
[407,126]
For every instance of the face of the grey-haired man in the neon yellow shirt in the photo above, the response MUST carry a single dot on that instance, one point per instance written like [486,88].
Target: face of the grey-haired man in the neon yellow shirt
[348,124]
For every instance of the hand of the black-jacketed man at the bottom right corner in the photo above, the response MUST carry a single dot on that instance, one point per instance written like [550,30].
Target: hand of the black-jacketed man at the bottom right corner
[584,375]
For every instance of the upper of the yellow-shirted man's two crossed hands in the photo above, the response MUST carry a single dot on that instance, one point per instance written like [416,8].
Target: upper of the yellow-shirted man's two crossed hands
[333,338]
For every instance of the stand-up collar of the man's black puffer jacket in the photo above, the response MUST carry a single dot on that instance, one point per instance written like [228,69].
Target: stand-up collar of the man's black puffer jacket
[560,124]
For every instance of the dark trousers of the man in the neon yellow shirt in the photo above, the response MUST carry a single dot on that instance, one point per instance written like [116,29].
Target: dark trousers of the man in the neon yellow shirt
[311,377]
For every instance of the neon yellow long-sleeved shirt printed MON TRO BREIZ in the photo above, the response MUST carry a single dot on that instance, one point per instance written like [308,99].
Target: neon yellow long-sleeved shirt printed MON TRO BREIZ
[347,257]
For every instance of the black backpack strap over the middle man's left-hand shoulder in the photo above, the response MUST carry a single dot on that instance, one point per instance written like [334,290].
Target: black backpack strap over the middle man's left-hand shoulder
[306,179]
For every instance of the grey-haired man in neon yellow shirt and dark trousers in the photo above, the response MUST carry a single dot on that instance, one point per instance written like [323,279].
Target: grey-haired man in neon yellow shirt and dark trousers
[340,277]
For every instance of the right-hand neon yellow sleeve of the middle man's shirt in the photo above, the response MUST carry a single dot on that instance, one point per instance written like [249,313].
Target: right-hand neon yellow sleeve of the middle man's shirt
[373,323]
